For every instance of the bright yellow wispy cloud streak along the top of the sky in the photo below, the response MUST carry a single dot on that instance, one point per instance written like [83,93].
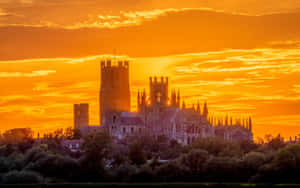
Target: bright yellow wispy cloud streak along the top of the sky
[122,19]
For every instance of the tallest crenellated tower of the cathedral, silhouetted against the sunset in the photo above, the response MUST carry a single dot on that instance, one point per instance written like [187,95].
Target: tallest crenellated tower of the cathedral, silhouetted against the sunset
[114,88]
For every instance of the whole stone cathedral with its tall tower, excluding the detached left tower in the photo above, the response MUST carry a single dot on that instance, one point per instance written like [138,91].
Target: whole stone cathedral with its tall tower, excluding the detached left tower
[158,113]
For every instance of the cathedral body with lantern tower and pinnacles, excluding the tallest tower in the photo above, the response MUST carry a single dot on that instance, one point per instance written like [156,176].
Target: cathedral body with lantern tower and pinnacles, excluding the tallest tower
[157,117]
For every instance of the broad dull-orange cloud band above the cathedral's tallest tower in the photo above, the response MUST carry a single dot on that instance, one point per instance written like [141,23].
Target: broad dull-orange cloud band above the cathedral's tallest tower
[162,33]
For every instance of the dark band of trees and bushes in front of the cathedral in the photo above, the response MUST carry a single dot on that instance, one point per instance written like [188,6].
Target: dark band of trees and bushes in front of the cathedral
[148,159]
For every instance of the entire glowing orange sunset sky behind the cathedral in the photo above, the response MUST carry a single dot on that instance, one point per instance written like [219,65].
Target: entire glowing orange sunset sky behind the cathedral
[241,56]
